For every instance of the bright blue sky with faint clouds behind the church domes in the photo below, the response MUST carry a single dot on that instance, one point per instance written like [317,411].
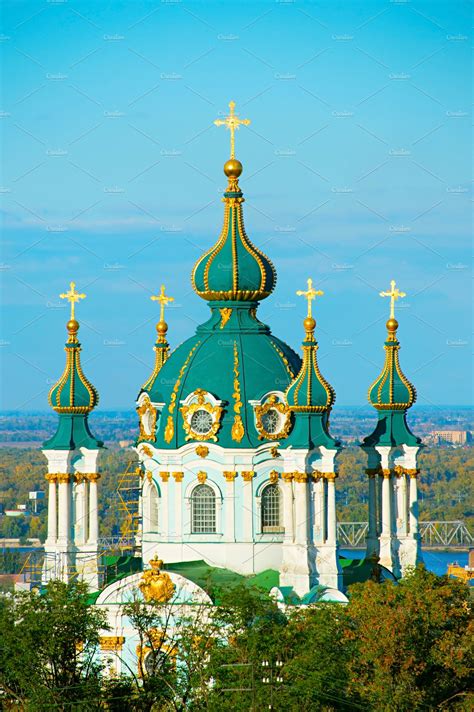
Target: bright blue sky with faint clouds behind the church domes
[356,171]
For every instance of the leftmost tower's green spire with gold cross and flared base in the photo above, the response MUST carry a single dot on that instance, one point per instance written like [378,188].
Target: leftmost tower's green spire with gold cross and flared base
[73,396]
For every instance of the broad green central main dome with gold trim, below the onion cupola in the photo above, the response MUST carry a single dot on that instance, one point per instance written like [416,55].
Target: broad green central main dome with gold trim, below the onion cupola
[233,358]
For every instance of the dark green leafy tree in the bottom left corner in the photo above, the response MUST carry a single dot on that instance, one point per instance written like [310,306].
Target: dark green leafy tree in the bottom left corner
[48,646]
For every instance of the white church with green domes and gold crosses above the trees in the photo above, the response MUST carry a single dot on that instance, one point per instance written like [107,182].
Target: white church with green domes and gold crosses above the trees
[238,467]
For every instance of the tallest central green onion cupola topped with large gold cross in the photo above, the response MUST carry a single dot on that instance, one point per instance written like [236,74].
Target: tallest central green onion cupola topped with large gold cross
[233,269]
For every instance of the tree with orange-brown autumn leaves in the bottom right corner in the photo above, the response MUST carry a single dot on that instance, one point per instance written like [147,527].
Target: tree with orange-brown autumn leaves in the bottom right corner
[410,643]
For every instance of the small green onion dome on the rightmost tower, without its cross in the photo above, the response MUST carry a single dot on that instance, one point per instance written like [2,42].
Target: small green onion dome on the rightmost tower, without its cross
[391,390]
